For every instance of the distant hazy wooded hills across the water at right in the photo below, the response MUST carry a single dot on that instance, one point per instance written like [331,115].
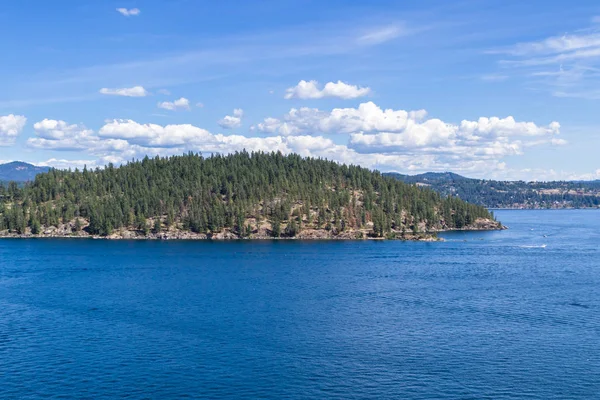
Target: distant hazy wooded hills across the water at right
[509,194]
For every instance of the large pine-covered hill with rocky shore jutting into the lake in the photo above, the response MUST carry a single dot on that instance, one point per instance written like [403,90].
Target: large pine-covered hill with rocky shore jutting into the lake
[244,195]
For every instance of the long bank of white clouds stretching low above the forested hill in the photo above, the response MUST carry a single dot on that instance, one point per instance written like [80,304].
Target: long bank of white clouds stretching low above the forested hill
[367,135]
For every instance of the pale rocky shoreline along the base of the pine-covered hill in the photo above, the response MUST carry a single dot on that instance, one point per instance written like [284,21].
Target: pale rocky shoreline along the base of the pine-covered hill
[66,231]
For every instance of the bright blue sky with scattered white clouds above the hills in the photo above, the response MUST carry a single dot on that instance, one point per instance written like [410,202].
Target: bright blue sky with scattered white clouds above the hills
[494,89]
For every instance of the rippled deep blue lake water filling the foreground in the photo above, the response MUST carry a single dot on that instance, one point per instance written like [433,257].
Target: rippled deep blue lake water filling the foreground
[483,315]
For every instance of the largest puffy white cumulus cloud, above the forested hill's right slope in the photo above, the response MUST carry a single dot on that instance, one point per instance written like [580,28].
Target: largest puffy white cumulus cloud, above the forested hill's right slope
[373,130]
